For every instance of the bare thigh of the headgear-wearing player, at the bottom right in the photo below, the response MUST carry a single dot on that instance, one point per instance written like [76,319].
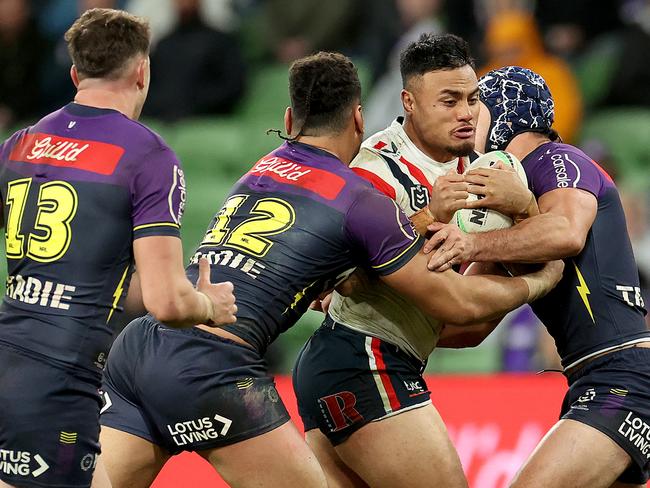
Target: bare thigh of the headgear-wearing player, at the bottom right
[573,454]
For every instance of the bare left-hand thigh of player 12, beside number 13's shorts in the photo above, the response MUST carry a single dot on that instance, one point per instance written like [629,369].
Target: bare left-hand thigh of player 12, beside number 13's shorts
[130,461]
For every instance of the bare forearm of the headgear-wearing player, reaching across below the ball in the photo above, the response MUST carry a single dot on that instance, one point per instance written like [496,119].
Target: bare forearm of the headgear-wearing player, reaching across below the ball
[535,240]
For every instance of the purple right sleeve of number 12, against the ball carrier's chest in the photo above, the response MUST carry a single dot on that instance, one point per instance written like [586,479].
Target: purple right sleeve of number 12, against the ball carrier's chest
[381,233]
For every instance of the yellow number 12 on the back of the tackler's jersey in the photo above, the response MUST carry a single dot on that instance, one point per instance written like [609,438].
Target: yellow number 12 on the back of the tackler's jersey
[270,216]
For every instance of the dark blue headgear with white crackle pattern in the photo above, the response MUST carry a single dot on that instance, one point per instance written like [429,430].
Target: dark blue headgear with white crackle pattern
[518,100]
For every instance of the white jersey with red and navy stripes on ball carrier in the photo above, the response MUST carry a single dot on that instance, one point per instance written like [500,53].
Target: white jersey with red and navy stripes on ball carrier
[396,167]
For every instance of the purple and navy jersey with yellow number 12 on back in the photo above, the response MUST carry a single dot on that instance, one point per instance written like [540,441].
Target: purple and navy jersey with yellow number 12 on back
[292,227]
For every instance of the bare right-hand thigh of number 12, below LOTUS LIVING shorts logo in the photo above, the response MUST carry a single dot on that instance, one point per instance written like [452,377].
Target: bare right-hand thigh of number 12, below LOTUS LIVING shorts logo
[273,459]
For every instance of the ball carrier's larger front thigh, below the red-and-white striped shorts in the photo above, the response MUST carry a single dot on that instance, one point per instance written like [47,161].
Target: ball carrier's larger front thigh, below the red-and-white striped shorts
[411,448]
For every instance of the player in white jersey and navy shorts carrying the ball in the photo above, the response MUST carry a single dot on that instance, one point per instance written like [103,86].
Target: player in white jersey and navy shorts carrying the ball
[364,402]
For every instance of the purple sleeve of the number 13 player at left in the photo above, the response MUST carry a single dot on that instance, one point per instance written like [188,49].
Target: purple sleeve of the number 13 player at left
[158,195]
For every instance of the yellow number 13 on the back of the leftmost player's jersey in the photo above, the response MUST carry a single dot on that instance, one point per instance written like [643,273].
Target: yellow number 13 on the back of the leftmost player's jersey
[57,206]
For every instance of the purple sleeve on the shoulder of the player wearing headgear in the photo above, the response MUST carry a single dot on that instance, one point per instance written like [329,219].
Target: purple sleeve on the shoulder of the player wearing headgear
[562,169]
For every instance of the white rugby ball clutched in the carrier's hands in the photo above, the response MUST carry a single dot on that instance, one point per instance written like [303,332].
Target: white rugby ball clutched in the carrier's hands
[485,219]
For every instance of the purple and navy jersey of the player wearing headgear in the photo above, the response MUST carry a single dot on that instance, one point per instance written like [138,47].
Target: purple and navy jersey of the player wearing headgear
[597,305]
